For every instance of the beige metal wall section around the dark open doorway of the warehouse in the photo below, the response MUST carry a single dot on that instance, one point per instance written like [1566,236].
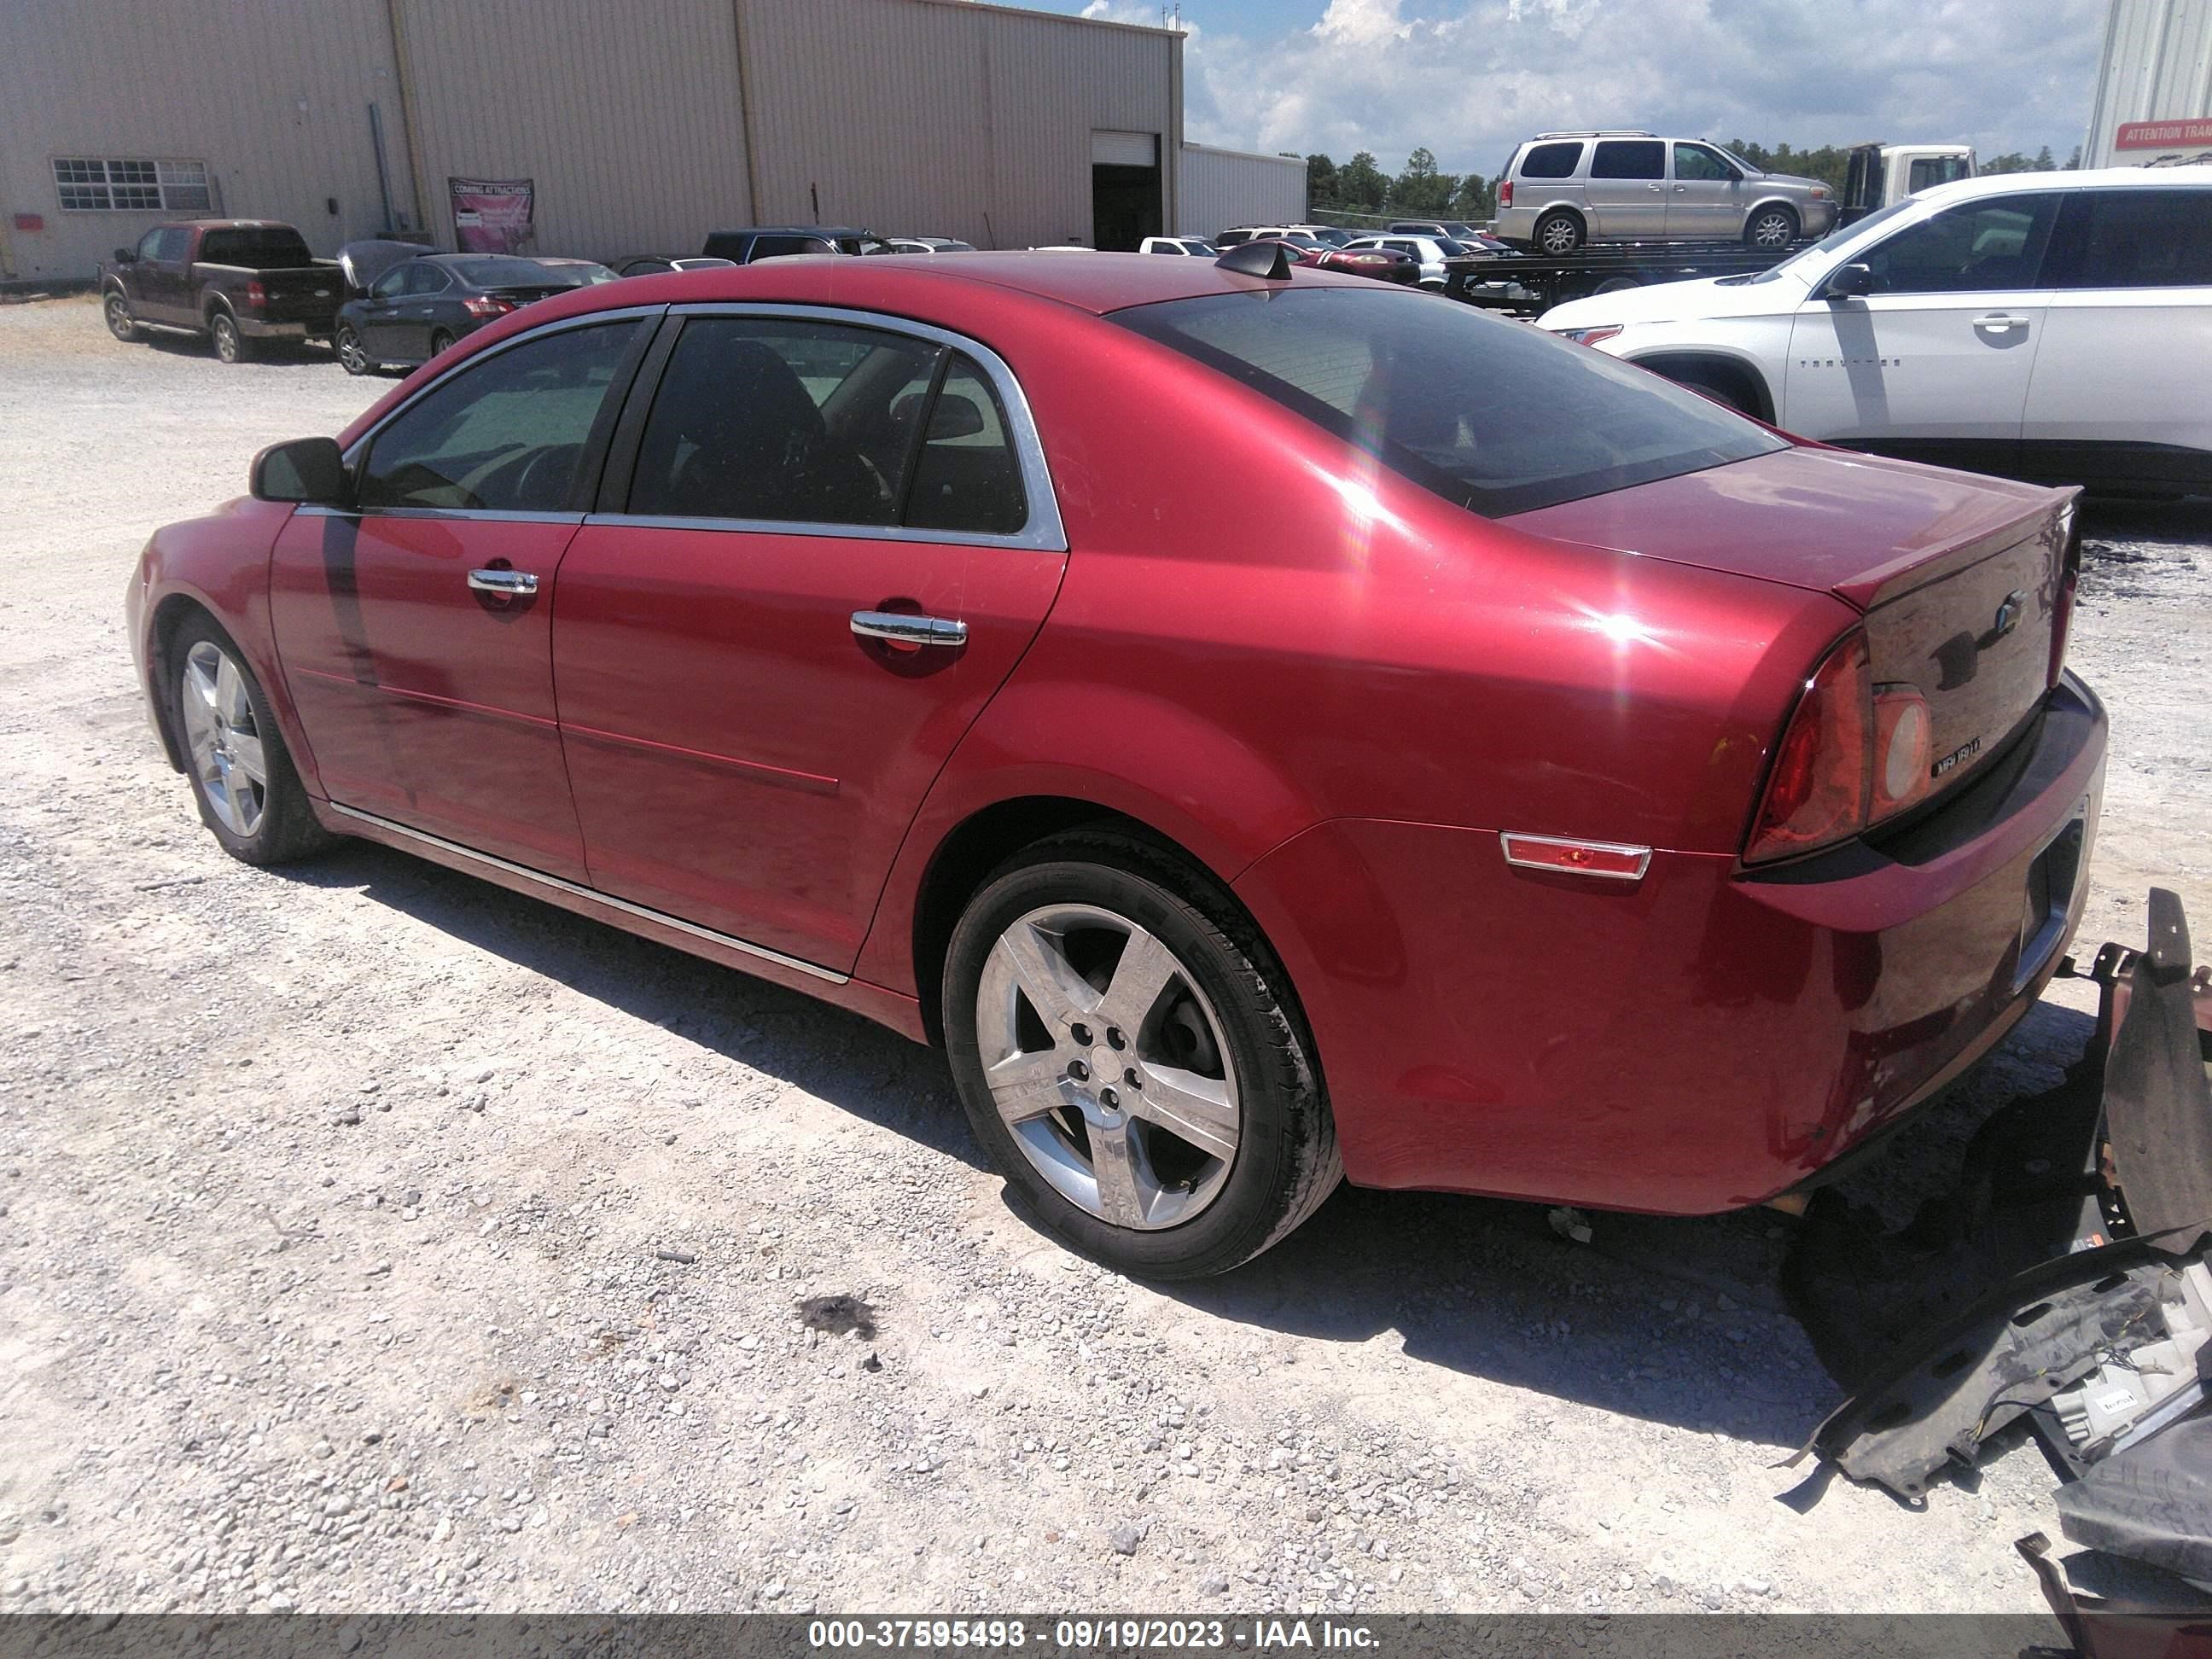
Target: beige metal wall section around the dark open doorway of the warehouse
[948,118]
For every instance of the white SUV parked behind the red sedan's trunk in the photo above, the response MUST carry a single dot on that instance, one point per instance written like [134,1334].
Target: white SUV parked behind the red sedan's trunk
[2049,326]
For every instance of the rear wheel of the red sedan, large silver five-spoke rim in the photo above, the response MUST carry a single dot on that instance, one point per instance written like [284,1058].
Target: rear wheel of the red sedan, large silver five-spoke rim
[1129,1056]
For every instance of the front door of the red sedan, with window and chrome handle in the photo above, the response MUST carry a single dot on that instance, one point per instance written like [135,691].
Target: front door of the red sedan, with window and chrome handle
[415,625]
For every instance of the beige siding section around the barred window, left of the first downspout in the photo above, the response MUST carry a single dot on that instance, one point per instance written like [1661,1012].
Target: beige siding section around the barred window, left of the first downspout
[271,94]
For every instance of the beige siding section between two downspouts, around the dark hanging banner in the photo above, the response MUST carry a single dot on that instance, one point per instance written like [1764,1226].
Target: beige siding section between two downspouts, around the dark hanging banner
[627,116]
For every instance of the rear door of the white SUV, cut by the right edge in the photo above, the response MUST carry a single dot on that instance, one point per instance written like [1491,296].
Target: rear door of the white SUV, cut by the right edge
[2125,371]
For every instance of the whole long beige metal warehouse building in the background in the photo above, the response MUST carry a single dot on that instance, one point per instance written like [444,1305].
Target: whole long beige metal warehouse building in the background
[640,127]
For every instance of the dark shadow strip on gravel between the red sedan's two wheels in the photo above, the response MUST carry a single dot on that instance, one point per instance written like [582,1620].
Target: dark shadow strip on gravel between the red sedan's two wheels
[835,1056]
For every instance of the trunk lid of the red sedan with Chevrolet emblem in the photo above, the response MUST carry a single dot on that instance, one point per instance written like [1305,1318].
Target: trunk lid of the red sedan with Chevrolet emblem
[1961,578]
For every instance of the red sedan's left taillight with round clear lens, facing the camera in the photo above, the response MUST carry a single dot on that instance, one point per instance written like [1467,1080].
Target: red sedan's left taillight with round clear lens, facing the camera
[1853,755]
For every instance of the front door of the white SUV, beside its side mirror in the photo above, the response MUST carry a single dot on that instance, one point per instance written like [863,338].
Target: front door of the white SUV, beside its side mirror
[1934,364]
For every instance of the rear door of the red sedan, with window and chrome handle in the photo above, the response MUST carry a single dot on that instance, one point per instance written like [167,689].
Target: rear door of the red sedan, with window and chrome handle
[835,543]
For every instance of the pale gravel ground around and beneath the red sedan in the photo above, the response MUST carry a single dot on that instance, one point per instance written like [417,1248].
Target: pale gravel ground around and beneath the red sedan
[377,1240]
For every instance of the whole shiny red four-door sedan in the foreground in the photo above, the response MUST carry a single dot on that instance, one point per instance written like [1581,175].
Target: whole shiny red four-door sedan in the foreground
[1264,727]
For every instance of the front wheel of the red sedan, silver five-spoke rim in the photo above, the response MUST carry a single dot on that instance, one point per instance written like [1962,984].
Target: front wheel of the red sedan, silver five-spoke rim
[242,778]
